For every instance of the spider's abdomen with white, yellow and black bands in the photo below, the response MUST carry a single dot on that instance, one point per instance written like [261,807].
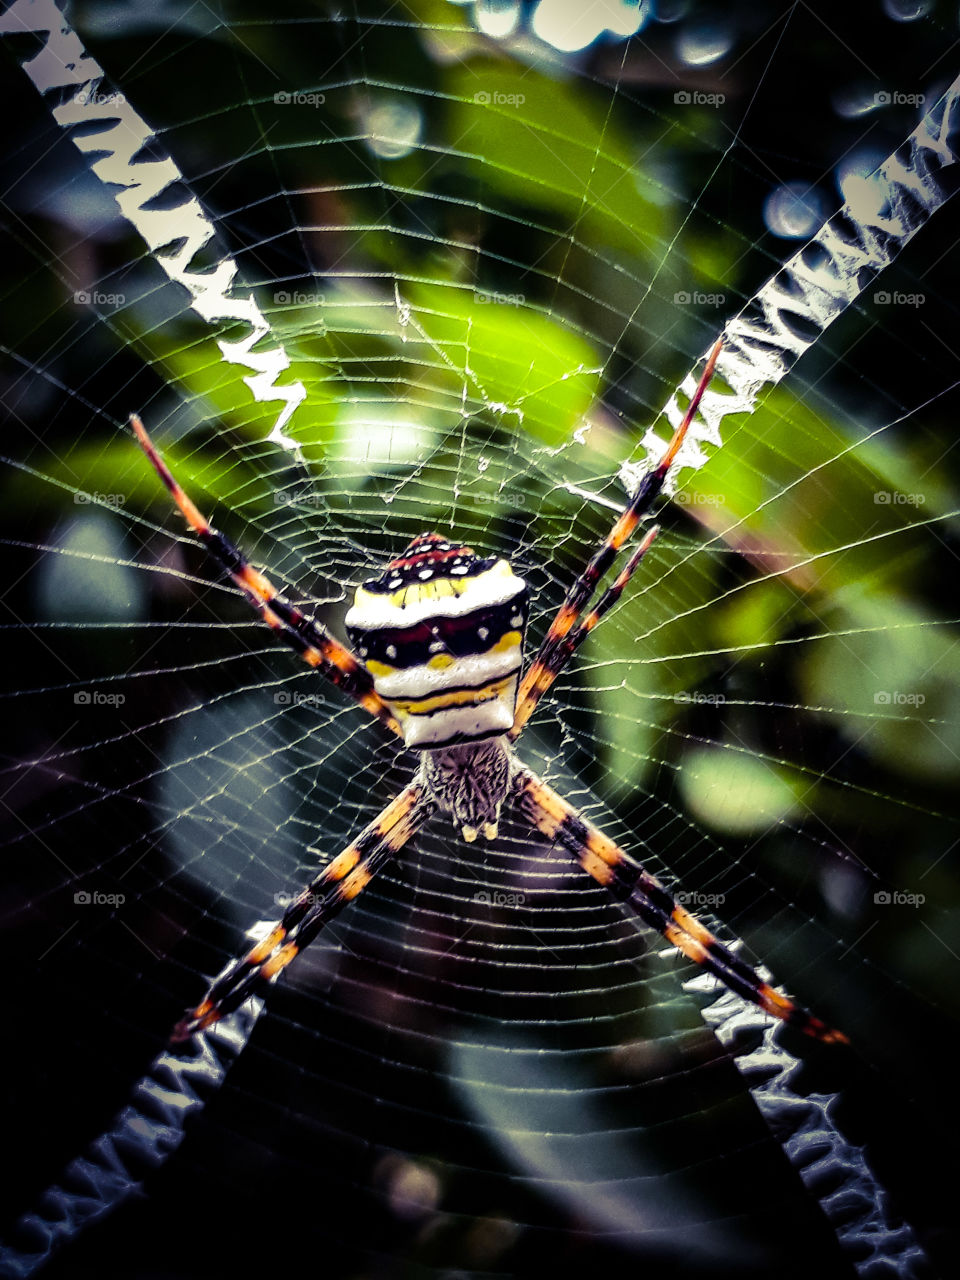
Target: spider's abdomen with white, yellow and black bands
[442,634]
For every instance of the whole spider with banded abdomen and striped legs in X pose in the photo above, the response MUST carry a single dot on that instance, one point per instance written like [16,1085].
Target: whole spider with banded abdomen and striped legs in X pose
[440,642]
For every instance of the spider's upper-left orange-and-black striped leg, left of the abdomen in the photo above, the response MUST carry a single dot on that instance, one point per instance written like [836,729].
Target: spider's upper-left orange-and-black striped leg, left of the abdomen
[308,637]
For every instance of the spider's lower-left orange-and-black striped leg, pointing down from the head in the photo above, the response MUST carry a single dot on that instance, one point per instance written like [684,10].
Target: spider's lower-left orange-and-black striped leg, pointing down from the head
[321,902]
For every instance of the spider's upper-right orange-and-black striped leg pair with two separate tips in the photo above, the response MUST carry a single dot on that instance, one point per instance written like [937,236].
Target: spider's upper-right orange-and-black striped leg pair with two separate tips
[566,633]
